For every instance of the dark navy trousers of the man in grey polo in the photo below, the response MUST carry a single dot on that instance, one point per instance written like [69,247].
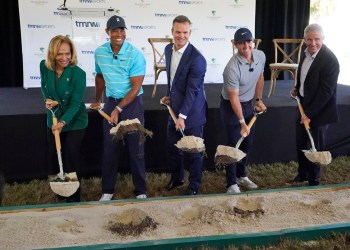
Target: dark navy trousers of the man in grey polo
[233,134]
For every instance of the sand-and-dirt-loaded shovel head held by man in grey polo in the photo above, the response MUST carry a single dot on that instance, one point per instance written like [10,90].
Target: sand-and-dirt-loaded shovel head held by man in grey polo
[226,155]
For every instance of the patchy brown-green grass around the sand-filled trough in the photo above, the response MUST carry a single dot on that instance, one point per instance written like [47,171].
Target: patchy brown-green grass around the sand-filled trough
[268,176]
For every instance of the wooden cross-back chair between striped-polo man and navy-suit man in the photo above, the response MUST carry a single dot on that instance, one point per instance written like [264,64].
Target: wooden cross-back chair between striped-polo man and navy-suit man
[158,46]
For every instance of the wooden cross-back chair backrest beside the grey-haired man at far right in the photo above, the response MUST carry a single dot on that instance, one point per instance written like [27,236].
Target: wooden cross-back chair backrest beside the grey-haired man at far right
[287,50]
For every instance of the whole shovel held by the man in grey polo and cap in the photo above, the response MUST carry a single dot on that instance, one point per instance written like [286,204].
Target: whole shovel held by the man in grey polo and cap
[226,155]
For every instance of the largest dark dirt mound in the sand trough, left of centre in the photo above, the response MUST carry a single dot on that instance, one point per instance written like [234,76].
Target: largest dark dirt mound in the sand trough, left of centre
[132,222]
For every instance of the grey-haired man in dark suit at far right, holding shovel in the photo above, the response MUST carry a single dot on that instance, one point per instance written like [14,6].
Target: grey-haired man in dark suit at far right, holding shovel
[317,89]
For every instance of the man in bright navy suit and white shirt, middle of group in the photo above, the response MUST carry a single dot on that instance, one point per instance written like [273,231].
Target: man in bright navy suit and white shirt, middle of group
[185,67]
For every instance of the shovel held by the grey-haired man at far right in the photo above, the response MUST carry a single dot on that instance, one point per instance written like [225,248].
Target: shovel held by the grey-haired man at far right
[322,157]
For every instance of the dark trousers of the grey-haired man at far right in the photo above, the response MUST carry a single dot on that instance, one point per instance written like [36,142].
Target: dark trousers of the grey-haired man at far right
[308,170]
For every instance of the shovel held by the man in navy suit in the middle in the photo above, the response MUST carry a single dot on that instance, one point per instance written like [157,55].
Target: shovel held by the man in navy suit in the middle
[190,144]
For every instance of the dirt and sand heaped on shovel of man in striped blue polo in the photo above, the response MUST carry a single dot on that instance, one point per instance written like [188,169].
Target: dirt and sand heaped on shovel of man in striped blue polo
[127,126]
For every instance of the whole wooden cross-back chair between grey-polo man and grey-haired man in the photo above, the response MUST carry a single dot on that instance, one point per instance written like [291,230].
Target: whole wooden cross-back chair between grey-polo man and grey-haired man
[287,58]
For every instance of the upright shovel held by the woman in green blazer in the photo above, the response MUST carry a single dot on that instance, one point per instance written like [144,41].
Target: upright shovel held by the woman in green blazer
[66,184]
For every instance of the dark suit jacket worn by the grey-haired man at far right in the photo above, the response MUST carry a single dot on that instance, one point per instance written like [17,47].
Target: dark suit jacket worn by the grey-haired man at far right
[320,88]
